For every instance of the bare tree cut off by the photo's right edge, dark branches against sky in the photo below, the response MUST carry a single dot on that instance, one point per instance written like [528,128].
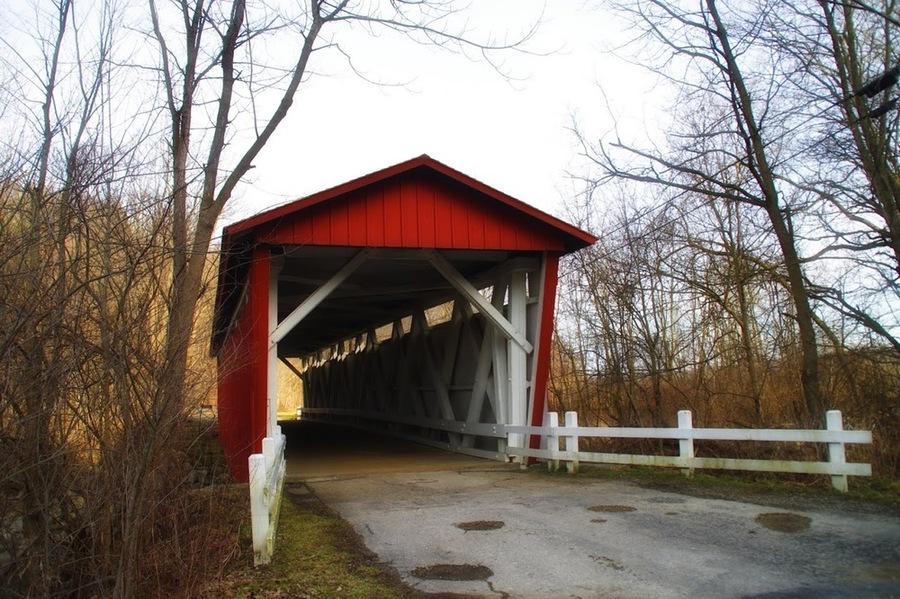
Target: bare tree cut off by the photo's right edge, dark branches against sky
[840,61]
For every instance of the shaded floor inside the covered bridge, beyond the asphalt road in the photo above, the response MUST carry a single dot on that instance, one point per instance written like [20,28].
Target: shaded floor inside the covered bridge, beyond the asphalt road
[316,450]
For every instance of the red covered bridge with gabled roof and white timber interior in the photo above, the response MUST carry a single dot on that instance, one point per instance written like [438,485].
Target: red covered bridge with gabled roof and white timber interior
[415,299]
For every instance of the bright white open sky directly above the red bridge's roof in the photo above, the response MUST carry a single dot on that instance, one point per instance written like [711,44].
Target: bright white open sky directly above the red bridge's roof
[511,135]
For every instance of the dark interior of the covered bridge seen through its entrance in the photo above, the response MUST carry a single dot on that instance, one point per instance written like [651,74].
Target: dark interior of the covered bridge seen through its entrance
[398,347]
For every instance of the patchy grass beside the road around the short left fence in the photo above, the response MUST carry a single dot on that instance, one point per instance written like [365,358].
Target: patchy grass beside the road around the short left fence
[317,555]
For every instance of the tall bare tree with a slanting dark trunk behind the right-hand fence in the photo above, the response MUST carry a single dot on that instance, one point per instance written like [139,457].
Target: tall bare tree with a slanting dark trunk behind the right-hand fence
[740,134]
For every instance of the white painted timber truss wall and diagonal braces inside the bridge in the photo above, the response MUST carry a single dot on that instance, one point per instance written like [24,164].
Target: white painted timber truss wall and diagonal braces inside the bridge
[445,382]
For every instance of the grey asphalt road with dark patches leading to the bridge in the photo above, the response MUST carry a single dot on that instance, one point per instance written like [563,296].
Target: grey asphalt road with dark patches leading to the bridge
[508,533]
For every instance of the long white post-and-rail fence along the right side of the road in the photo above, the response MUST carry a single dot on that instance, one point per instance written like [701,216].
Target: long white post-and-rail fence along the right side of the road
[834,436]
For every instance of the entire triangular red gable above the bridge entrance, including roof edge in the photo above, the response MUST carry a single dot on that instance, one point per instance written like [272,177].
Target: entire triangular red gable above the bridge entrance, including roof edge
[420,203]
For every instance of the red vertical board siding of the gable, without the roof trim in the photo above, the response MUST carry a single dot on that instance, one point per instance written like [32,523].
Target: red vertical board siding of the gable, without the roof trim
[415,210]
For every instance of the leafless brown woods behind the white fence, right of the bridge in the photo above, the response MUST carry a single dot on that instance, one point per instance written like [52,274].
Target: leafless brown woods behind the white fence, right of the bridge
[748,264]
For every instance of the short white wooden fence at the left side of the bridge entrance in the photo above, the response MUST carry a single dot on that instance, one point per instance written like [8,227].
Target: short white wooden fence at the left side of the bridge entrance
[266,480]
